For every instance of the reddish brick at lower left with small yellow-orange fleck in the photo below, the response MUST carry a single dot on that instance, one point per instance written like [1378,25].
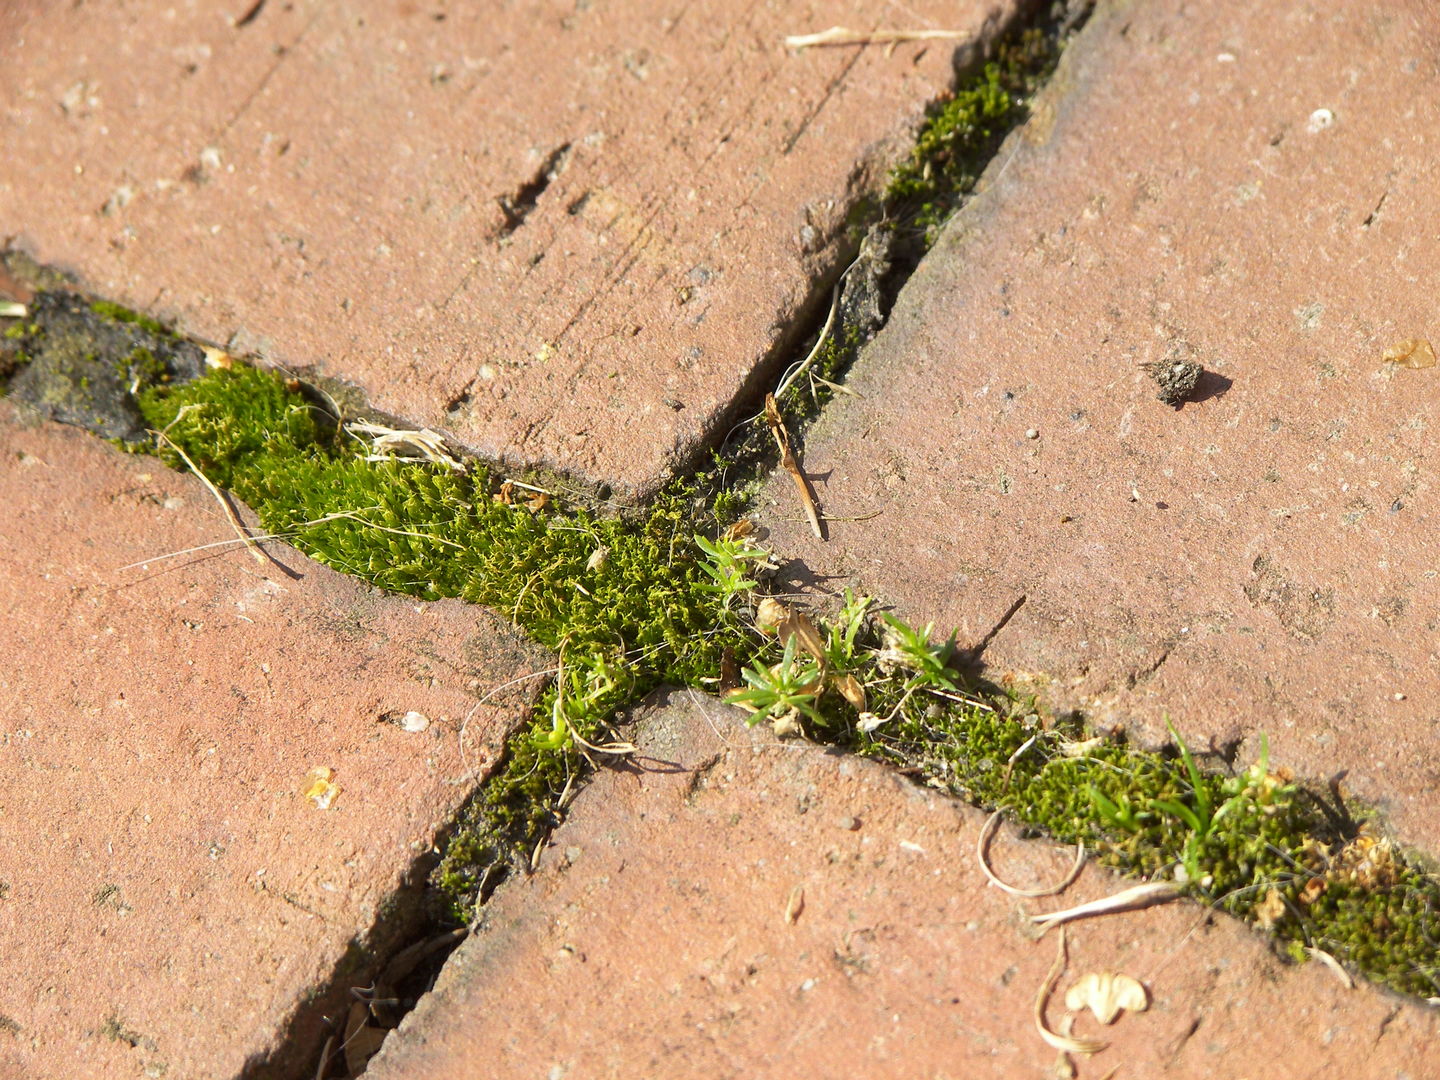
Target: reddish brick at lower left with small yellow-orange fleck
[168,894]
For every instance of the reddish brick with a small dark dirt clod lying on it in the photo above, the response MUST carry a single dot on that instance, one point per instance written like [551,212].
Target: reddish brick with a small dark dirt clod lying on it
[1248,186]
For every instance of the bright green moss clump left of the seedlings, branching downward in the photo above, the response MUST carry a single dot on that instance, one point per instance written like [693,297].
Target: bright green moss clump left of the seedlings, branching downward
[626,603]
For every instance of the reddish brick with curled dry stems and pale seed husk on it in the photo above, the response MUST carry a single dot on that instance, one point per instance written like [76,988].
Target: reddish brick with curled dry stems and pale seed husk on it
[654,941]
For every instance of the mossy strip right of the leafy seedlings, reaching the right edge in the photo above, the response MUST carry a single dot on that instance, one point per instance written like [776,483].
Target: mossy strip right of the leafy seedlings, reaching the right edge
[1252,843]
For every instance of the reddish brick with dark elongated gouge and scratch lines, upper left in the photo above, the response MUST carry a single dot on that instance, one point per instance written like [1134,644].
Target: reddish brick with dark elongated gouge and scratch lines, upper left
[565,234]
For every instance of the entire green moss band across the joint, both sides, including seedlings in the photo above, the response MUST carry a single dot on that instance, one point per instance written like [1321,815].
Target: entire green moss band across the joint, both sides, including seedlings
[629,604]
